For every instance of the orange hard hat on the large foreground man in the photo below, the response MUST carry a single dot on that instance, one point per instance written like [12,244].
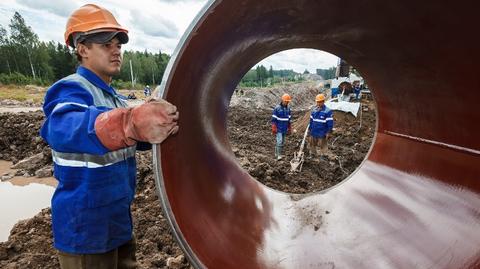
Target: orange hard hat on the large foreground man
[91,19]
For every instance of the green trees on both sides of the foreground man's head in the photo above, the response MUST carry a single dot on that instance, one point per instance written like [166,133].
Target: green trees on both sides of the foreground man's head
[24,59]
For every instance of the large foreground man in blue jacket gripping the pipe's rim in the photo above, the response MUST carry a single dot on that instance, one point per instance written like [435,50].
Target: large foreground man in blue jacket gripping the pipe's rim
[94,136]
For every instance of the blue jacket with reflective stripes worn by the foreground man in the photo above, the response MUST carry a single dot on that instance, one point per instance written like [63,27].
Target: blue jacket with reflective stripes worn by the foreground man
[91,205]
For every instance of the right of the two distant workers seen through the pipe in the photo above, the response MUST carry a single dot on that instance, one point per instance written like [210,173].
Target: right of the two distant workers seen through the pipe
[321,124]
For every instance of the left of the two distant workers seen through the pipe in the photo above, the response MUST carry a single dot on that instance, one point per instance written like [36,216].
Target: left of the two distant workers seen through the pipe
[281,124]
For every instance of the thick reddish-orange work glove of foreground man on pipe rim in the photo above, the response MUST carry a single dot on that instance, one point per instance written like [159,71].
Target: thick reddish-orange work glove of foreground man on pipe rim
[150,122]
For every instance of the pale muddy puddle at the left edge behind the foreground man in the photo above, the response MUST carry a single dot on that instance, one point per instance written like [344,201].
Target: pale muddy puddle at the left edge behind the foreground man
[22,198]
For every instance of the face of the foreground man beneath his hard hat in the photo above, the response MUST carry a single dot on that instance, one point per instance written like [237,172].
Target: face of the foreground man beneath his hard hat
[104,60]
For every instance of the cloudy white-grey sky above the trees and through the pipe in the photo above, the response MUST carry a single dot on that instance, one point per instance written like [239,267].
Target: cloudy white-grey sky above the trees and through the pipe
[153,25]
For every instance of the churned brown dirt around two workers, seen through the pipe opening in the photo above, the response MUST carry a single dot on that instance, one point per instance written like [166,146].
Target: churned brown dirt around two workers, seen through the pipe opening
[253,145]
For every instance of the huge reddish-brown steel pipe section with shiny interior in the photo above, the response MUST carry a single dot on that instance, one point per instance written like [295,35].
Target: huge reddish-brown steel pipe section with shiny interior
[413,203]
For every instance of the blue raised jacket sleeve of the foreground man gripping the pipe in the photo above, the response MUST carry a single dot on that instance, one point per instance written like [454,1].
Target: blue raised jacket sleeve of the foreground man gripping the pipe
[70,119]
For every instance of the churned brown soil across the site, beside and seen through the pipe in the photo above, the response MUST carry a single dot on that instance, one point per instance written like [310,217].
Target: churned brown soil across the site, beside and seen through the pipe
[30,242]
